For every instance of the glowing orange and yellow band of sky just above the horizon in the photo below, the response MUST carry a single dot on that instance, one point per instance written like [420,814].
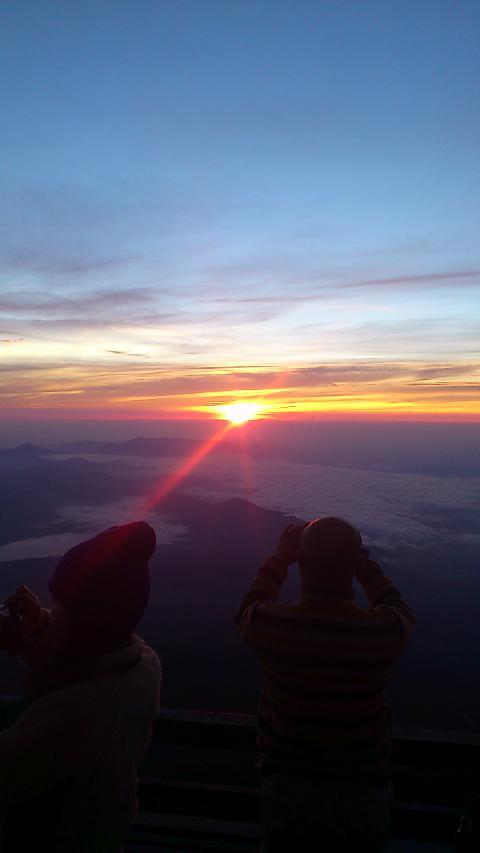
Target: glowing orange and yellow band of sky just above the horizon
[366,389]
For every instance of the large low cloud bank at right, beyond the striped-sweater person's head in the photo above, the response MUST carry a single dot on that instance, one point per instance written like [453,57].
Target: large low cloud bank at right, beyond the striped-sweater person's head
[391,510]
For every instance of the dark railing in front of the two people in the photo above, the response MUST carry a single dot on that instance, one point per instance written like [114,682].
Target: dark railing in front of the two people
[434,771]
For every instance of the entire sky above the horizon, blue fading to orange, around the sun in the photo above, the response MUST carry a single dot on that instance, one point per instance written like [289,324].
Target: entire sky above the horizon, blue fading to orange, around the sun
[203,202]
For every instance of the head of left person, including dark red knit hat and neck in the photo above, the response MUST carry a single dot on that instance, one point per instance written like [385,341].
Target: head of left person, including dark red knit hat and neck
[100,589]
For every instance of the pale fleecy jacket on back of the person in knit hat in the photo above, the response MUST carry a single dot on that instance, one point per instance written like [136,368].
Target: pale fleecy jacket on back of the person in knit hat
[88,738]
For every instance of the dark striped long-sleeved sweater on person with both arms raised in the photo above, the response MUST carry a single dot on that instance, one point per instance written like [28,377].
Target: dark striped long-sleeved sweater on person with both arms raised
[325,665]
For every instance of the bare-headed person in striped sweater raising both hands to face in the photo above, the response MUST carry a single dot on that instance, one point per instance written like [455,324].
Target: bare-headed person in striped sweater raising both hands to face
[323,726]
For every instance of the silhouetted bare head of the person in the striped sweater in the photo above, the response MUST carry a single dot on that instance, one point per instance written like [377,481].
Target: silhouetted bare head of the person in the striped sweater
[328,556]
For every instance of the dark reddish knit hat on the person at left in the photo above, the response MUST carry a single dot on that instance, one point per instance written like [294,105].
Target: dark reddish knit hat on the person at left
[104,584]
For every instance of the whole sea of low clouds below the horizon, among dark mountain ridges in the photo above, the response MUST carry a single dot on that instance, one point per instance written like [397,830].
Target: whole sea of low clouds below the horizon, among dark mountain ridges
[390,509]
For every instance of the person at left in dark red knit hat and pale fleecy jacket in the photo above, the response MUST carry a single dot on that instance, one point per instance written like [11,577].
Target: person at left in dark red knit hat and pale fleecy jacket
[69,762]
